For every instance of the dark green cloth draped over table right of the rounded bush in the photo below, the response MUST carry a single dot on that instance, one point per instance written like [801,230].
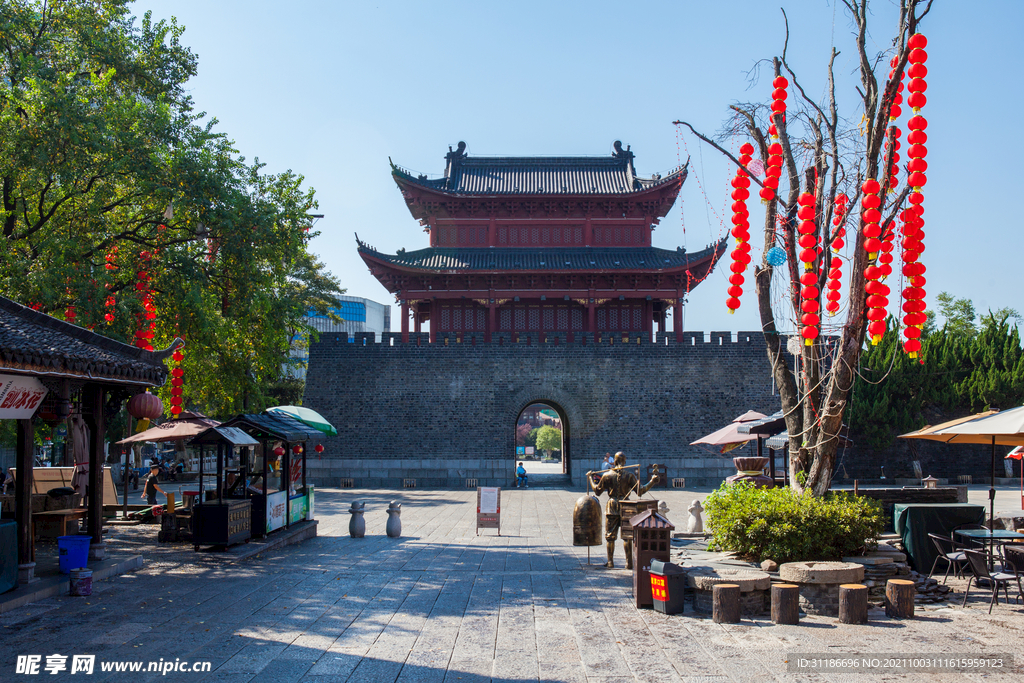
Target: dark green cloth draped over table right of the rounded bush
[914,522]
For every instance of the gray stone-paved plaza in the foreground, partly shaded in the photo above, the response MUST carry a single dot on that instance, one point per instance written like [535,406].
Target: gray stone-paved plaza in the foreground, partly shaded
[444,605]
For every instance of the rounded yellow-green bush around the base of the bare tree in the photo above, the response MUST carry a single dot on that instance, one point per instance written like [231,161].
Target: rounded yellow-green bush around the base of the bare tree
[786,527]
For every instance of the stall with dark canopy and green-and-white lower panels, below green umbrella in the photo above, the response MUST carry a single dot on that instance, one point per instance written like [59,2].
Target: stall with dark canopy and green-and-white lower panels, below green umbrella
[277,472]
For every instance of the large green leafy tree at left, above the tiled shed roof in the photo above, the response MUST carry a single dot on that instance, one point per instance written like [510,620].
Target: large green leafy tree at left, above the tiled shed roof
[110,179]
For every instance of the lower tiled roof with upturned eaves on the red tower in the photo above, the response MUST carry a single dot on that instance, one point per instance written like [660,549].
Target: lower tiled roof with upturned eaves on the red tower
[549,259]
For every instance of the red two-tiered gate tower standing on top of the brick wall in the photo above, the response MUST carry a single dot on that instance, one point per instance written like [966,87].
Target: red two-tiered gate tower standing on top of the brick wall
[540,245]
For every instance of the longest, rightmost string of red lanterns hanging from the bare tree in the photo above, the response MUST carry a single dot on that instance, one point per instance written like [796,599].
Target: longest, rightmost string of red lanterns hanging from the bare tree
[914,221]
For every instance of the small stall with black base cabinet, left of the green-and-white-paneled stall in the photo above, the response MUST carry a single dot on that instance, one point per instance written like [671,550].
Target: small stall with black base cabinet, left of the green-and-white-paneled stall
[223,515]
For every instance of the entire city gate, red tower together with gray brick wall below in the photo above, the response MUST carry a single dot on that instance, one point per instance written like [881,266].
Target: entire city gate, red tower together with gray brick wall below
[540,285]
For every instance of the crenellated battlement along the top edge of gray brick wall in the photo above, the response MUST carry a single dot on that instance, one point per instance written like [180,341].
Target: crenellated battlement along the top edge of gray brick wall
[578,339]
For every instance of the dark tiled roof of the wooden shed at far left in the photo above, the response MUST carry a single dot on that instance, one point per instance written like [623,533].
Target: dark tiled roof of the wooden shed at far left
[34,344]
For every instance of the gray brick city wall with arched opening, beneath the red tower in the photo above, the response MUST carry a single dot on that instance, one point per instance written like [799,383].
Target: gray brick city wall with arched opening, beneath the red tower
[445,413]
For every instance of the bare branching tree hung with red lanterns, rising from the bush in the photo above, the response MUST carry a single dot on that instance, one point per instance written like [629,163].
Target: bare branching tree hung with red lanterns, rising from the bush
[825,155]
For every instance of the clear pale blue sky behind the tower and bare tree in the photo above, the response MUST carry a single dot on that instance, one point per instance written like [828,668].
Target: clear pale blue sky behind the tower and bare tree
[332,90]
